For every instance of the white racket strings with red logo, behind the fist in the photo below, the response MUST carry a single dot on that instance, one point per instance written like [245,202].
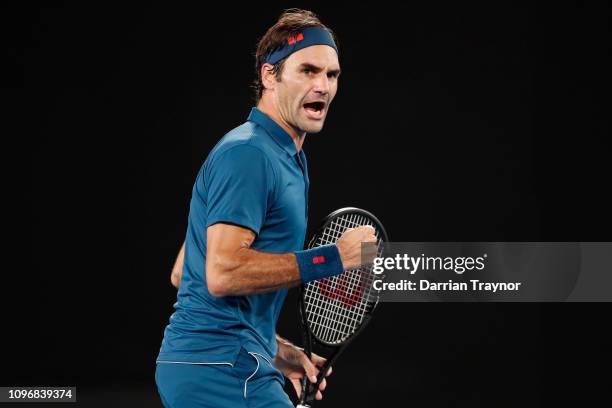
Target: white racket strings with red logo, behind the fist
[335,307]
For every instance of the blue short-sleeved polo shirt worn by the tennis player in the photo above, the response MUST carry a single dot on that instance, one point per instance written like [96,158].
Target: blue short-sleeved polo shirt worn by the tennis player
[255,178]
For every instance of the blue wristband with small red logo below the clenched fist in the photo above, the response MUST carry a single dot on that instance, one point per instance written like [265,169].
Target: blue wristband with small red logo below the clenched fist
[319,263]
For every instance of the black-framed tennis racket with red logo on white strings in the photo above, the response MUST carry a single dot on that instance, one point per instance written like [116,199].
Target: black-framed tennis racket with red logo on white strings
[334,310]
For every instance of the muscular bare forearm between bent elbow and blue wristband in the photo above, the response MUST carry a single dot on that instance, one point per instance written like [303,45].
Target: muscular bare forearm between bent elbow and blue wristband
[248,271]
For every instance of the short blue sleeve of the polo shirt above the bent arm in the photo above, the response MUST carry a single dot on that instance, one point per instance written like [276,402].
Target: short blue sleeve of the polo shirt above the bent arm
[239,188]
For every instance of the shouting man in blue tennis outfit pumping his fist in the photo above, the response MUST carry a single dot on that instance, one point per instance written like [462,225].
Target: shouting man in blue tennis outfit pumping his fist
[247,225]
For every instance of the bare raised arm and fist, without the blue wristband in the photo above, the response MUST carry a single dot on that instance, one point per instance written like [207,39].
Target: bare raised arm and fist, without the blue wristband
[233,268]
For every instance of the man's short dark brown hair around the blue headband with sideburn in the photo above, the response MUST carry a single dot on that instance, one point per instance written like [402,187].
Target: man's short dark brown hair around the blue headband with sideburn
[290,23]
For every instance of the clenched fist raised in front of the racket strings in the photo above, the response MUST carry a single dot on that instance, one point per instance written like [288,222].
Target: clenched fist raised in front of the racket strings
[350,248]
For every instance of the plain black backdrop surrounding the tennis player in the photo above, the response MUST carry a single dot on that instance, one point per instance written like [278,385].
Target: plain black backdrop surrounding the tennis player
[486,122]
